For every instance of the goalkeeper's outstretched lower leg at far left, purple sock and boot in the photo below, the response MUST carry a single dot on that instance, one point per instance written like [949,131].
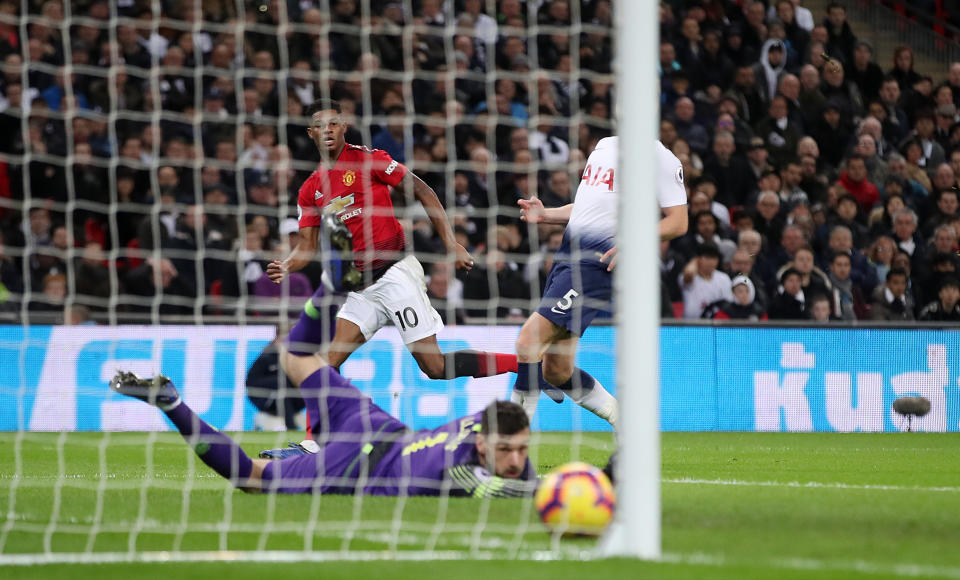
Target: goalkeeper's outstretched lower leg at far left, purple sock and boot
[217,450]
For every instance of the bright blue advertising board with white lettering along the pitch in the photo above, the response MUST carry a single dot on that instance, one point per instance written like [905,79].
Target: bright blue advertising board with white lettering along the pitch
[711,378]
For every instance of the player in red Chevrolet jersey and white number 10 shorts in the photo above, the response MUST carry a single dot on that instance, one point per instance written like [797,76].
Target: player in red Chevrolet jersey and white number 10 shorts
[351,188]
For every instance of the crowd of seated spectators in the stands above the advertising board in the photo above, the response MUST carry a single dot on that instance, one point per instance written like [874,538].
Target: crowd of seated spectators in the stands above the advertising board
[821,185]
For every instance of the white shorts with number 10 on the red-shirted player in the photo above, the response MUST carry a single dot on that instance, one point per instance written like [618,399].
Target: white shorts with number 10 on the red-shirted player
[399,298]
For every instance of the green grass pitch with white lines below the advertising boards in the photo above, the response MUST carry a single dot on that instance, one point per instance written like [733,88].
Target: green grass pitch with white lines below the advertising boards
[735,505]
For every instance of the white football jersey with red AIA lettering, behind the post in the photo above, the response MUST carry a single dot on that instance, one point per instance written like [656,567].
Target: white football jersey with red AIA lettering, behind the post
[593,221]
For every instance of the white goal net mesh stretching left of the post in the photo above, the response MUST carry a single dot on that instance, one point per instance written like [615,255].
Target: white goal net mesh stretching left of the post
[150,160]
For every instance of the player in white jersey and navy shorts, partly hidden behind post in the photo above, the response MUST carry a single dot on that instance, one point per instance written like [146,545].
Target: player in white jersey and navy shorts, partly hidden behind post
[580,284]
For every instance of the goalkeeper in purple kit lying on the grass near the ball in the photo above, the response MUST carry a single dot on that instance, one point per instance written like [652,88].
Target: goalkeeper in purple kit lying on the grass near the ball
[362,447]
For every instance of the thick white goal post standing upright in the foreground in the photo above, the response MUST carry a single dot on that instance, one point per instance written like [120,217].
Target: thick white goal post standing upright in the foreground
[636,528]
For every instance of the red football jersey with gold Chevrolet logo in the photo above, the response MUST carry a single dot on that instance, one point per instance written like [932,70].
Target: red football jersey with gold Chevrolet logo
[357,190]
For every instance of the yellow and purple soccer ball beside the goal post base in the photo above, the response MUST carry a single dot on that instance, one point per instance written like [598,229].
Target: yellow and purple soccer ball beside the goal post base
[576,498]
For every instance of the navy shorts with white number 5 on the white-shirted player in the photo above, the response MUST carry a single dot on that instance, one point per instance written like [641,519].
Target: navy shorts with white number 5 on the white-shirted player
[576,293]
